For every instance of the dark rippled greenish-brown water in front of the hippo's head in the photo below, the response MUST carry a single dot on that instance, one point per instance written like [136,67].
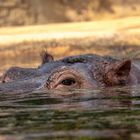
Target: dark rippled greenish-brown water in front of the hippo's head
[105,114]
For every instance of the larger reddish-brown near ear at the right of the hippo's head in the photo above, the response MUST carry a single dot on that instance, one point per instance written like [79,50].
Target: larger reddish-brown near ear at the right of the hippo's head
[117,73]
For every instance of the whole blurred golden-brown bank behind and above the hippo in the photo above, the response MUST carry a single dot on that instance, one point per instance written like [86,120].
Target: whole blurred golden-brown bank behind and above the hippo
[67,27]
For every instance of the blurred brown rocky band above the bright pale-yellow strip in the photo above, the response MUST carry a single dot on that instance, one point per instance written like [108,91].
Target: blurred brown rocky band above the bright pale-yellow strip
[31,12]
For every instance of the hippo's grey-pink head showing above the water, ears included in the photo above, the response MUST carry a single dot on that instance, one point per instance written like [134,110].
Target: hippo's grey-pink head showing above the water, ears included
[74,72]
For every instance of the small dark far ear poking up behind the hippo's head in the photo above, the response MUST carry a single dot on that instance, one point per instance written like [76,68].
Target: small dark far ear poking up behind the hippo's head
[46,57]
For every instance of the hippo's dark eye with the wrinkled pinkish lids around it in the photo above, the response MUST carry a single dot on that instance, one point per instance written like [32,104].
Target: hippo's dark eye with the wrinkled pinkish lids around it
[66,79]
